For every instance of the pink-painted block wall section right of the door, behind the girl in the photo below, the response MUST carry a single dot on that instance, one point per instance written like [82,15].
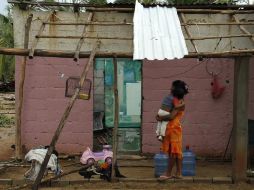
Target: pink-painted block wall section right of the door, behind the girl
[207,122]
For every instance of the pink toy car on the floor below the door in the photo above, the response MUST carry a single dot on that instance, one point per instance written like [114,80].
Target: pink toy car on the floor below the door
[90,157]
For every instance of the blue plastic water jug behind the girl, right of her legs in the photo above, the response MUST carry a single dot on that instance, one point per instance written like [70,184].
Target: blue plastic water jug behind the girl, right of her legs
[189,163]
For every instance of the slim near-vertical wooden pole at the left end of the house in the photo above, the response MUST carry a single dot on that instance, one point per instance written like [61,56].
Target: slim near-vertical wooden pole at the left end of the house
[18,149]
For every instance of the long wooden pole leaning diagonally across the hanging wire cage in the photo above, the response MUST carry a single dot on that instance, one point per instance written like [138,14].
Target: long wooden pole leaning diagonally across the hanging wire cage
[64,117]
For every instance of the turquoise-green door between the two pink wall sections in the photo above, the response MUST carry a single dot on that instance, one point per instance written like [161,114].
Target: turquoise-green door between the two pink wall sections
[129,91]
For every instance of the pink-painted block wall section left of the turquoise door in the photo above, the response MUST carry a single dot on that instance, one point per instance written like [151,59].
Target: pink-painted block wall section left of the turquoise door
[45,102]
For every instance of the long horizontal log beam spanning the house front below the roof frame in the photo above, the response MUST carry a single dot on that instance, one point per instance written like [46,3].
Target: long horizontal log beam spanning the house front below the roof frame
[103,54]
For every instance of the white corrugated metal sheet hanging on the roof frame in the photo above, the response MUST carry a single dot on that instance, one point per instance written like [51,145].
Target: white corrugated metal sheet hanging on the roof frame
[157,34]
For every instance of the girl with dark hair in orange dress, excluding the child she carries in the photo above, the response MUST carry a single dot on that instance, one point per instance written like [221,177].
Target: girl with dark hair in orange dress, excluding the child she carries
[172,143]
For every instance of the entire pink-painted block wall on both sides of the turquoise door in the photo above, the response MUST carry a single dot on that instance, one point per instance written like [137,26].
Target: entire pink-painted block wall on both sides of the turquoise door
[206,124]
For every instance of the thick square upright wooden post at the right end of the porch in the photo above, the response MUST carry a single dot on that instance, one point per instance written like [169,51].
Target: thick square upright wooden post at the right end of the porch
[240,118]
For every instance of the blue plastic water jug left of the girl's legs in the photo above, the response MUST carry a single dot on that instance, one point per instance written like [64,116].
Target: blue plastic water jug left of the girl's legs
[160,164]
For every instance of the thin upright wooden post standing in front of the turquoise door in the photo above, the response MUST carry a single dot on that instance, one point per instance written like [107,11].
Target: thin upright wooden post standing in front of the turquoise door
[116,121]
